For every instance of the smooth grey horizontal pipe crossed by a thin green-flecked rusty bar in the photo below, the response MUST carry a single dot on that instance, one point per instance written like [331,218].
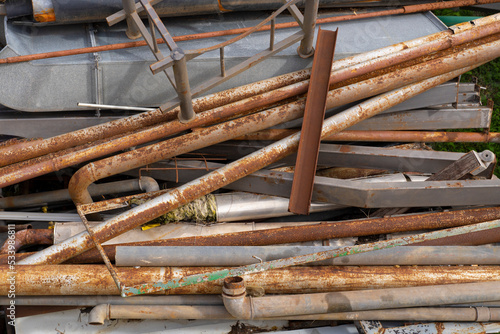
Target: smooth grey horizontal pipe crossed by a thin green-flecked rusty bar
[152,256]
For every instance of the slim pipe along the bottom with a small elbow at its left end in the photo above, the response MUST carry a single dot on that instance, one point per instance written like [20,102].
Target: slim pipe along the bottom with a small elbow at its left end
[100,313]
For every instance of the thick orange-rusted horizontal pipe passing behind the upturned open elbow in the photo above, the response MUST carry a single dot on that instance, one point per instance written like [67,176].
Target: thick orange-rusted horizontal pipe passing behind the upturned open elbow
[95,279]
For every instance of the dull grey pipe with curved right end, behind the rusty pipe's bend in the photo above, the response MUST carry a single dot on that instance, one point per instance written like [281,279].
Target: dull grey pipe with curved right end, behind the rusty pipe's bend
[145,183]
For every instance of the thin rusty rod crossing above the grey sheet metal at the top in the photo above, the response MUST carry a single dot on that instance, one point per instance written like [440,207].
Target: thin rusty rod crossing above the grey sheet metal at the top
[228,32]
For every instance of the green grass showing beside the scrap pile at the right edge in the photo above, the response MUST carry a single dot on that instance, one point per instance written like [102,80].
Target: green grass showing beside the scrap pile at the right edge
[488,76]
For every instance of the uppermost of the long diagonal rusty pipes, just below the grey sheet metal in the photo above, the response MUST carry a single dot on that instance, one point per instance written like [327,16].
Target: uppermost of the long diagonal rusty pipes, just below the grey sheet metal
[431,43]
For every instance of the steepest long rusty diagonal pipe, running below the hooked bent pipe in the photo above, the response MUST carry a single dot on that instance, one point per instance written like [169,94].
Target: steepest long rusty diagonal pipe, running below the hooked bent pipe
[231,172]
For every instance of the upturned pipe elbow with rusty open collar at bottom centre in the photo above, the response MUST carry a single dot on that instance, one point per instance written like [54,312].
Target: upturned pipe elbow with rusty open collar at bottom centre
[235,300]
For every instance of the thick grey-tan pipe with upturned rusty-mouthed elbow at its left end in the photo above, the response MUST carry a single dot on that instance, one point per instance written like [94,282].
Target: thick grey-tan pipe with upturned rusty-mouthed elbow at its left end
[243,307]
